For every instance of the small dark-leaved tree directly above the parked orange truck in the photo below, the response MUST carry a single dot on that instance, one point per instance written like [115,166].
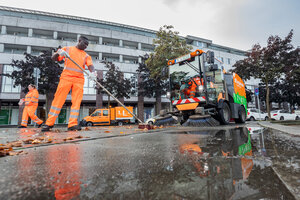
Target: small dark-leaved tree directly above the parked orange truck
[115,82]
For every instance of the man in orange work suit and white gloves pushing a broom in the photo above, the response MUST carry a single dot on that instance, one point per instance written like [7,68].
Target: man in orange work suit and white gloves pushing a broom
[72,78]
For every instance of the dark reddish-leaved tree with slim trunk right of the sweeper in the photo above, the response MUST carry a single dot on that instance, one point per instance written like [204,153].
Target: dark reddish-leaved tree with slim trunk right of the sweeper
[266,63]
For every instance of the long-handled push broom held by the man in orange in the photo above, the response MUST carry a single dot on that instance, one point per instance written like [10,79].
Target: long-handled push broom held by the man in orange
[141,124]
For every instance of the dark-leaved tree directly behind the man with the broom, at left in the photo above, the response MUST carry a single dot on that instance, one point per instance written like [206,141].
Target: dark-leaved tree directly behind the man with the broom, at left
[49,74]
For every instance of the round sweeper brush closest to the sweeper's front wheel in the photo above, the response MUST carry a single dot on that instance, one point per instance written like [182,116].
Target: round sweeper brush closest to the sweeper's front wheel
[201,121]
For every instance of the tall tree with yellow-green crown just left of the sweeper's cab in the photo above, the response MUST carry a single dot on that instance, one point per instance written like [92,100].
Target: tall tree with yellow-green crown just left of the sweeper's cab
[168,45]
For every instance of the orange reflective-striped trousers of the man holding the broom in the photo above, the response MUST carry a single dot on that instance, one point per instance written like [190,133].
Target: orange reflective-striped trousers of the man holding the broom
[60,96]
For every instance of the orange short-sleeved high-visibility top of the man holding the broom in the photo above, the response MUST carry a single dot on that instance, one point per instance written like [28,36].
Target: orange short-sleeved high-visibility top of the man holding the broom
[71,71]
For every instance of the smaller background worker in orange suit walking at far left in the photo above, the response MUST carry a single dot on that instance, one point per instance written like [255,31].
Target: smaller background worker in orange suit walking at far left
[31,103]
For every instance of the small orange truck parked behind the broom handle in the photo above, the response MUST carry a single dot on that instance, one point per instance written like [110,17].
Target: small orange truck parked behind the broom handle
[108,116]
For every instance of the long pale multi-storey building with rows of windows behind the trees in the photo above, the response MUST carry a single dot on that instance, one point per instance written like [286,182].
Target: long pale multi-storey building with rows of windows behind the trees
[32,31]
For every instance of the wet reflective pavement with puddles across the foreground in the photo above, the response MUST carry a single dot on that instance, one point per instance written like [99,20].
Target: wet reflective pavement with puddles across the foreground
[170,163]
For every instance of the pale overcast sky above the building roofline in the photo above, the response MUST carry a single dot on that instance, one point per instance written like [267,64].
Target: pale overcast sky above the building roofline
[233,23]
